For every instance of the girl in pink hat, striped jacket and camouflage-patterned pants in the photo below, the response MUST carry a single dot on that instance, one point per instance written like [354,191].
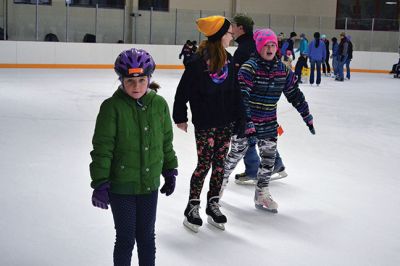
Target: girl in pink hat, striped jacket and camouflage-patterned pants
[263,79]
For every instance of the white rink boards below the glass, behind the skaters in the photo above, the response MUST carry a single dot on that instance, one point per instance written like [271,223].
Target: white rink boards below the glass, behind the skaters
[22,52]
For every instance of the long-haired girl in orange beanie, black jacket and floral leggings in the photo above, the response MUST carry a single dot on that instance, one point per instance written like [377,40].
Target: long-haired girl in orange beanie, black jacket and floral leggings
[209,85]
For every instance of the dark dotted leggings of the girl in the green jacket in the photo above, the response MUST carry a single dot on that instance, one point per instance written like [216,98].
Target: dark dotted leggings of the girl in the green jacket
[134,219]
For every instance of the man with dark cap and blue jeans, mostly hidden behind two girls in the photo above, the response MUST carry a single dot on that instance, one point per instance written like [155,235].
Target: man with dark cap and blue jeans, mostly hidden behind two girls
[242,28]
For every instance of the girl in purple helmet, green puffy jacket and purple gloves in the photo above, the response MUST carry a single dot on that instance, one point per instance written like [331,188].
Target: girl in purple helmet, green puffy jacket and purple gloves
[132,147]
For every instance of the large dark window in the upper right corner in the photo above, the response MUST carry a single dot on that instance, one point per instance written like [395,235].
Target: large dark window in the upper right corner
[359,14]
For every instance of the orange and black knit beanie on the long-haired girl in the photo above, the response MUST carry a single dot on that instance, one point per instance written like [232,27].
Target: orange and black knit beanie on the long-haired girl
[213,27]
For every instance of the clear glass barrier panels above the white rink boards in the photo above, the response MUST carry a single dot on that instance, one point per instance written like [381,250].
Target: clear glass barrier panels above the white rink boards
[71,24]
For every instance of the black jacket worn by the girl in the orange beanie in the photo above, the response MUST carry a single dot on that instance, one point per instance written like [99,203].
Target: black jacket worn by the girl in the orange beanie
[212,105]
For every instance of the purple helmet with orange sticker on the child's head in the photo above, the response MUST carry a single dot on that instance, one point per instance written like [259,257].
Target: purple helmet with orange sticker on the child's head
[134,63]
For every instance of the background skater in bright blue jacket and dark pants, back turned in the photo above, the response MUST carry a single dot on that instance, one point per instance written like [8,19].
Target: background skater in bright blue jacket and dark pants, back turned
[317,54]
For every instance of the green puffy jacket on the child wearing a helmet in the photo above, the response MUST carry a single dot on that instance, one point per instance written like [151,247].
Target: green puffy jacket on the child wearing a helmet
[132,144]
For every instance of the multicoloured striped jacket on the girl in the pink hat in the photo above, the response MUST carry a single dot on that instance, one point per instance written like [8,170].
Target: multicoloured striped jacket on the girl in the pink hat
[262,83]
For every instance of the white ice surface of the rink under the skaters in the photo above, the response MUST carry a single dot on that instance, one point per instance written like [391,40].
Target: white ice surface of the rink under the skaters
[340,204]
